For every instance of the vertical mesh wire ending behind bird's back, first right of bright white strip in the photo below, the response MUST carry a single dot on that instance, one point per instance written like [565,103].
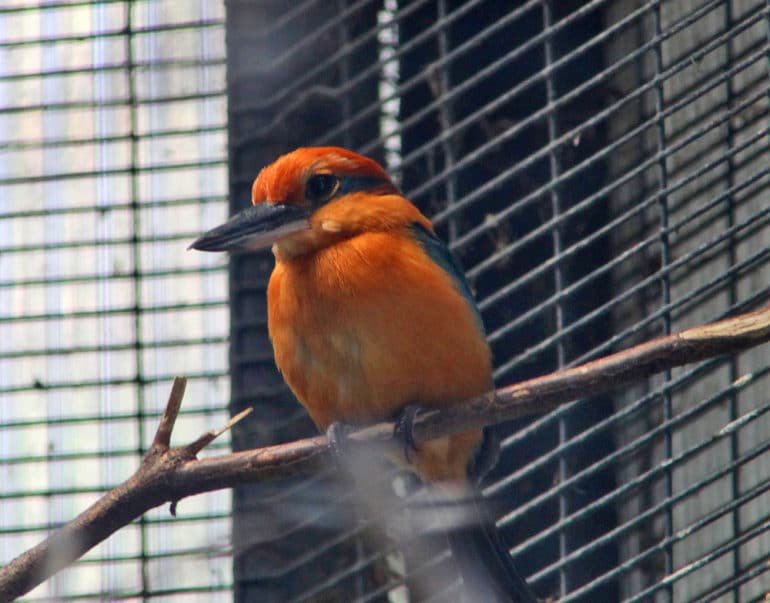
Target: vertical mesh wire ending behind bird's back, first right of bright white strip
[446,116]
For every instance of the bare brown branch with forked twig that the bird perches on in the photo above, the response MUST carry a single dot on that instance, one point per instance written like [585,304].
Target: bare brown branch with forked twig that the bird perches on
[170,474]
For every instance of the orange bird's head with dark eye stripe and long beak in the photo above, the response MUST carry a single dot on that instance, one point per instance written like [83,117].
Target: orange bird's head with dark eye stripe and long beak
[312,198]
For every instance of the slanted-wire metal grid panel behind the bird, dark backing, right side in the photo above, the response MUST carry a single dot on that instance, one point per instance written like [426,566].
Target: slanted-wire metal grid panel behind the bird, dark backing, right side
[600,167]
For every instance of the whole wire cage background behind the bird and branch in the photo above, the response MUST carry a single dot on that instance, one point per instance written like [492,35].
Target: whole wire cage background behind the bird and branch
[599,167]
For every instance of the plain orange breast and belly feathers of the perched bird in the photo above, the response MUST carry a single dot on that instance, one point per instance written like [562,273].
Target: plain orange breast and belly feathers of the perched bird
[369,325]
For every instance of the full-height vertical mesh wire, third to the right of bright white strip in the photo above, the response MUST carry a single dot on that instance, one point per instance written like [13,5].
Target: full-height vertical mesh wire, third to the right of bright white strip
[660,134]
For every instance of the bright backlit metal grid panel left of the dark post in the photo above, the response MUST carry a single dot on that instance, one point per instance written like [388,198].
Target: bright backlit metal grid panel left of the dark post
[112,156]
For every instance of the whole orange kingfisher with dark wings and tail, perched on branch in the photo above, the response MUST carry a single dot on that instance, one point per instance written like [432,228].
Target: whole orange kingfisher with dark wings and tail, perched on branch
[369,314]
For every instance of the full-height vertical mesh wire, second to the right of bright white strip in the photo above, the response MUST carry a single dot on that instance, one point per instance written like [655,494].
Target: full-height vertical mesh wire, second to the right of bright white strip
[556,246]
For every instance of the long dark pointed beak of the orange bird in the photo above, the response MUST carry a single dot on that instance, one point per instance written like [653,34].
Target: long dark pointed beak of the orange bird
[257,227]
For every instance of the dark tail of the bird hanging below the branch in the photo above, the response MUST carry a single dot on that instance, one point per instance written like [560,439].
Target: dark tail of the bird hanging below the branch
[484,561]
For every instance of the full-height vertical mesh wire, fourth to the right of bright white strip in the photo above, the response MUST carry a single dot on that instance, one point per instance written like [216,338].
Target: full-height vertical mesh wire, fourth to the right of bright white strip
[735,484]
